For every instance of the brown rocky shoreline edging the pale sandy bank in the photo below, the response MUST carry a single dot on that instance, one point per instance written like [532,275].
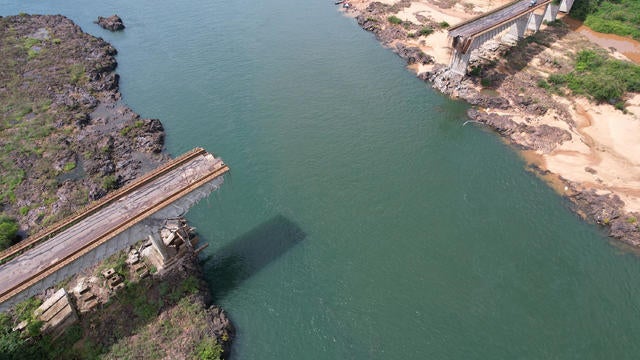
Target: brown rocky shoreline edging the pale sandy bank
[509,110]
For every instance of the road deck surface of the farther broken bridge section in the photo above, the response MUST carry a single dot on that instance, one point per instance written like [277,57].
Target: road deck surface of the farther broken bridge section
[497,17]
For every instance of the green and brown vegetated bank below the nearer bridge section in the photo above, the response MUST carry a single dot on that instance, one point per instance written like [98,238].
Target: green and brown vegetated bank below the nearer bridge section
[158,317]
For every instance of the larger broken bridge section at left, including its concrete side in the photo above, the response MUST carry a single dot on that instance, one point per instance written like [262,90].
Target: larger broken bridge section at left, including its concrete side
[108,226]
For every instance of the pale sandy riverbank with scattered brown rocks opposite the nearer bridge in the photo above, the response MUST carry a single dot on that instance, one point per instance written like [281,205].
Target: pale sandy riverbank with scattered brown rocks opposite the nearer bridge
[588,152]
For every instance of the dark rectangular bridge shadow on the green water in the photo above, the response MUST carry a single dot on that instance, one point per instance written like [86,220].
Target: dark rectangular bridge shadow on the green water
[250,253]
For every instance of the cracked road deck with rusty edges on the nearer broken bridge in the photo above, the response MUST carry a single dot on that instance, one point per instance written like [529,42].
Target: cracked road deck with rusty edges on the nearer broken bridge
[113,215]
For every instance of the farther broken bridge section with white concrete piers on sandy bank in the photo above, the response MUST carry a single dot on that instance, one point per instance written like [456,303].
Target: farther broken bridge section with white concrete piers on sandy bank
[514,19]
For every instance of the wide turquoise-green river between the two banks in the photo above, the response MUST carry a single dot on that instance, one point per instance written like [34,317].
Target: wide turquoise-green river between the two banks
[361,220]
